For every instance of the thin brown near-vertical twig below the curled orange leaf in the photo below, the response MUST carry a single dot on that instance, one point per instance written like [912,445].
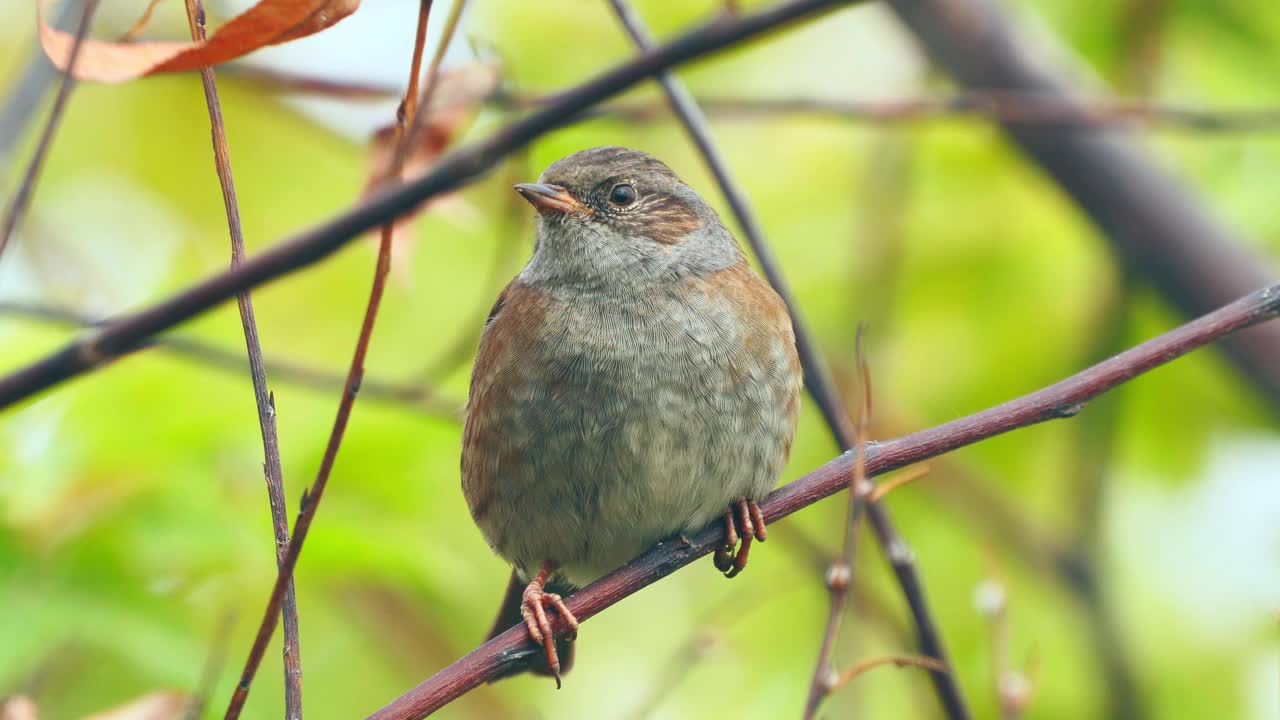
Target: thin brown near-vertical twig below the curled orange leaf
[266,402]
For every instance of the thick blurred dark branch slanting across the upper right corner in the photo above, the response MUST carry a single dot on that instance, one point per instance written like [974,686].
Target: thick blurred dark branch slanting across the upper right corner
[1153,221]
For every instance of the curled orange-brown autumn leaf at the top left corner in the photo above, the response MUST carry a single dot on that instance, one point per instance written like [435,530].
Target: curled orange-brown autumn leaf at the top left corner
[269,22]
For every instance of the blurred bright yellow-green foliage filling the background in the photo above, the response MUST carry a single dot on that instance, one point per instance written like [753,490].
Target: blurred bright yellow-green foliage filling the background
[132,511]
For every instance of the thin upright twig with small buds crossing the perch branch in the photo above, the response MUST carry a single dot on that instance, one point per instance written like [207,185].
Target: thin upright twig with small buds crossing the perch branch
[840,576]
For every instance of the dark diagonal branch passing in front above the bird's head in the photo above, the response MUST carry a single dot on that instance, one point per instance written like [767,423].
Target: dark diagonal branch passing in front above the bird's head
[460,167]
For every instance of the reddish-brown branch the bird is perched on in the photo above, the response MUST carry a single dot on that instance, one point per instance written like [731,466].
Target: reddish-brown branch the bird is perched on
[509,651]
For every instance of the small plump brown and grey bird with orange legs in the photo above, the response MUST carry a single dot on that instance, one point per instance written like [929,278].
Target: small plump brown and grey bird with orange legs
[634,382]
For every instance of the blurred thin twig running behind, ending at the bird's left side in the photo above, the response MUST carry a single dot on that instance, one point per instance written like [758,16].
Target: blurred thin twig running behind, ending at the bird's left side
[412,394]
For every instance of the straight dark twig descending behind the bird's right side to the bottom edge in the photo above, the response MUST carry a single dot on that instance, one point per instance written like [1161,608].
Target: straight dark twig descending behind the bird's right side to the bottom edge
[817,379]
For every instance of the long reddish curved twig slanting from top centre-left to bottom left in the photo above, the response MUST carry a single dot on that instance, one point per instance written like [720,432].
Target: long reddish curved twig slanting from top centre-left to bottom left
[312,499]
